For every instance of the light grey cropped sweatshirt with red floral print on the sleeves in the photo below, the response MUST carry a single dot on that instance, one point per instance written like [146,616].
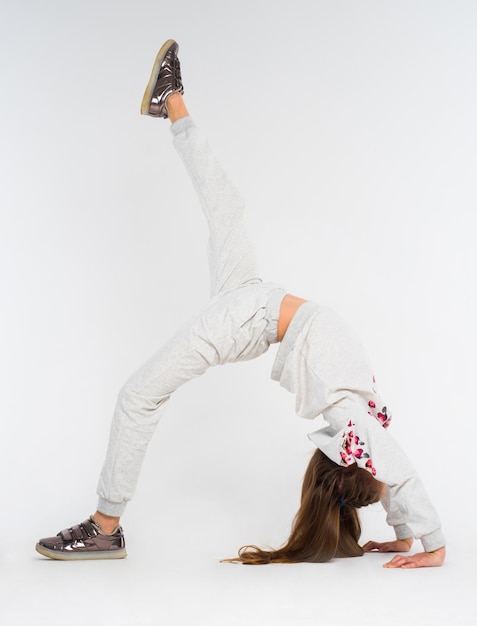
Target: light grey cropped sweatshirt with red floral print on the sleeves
[321,361]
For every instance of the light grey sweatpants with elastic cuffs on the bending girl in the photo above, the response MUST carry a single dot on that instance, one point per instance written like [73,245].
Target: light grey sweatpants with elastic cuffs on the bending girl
[239,323]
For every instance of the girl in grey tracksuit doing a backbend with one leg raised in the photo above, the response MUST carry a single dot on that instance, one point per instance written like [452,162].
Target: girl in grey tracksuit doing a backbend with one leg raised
[356,461]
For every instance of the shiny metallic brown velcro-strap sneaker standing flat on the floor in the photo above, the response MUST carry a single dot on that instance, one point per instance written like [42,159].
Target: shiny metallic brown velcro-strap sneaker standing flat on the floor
[85,541]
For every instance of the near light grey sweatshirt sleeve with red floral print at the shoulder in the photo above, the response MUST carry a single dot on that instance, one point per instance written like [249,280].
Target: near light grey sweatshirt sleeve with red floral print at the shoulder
[364,441]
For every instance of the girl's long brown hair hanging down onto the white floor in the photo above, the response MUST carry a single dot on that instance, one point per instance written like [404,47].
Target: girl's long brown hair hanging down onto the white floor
[327,523]
